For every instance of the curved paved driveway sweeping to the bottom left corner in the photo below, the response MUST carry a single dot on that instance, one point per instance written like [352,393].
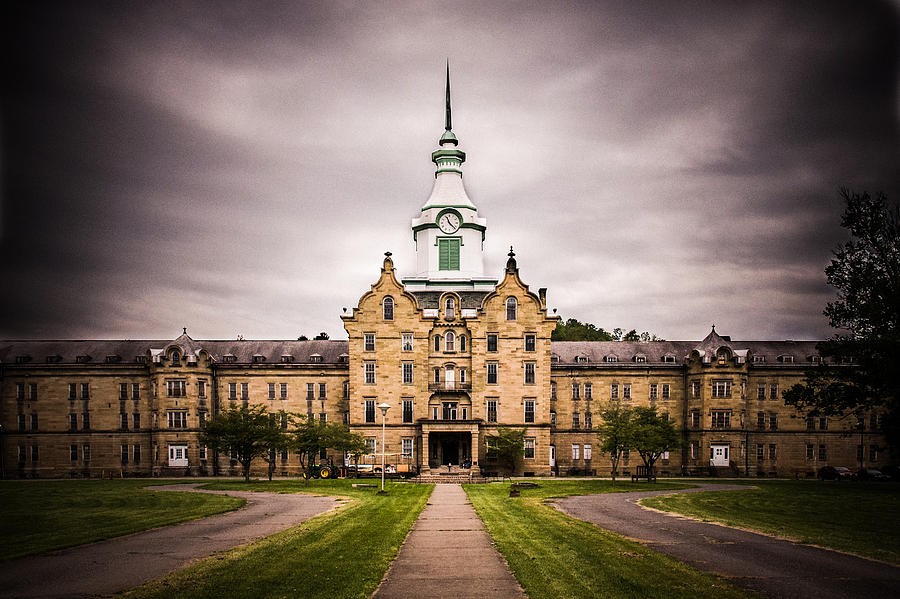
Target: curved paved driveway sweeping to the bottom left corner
[108,567]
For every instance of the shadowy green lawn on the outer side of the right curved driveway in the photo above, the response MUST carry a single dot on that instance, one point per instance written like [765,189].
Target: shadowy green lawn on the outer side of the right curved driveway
[861,518]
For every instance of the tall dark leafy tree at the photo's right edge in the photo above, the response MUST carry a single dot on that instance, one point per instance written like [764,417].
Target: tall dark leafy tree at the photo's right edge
[858,375]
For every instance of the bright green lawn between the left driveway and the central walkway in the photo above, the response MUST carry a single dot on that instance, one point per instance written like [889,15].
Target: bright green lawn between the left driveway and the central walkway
[343,553]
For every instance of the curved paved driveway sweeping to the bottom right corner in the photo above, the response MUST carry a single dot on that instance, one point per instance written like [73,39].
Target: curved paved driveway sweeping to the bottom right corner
[770,566]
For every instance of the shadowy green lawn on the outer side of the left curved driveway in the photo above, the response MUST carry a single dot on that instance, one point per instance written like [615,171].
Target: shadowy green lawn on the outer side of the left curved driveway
[41,516]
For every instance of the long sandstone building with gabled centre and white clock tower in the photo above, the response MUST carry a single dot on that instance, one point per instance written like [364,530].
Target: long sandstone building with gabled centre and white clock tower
[453,351]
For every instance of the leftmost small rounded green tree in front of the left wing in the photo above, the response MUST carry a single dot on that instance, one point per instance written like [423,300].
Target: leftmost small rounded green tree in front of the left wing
[245,432]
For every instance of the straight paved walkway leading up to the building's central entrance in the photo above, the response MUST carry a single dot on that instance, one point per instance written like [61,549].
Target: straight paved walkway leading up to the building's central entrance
[448,553]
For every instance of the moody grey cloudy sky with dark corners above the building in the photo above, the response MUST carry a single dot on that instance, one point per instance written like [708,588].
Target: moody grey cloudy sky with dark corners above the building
[240,168]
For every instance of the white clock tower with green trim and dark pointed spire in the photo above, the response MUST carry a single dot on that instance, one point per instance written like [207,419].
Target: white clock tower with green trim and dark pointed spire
[449,234]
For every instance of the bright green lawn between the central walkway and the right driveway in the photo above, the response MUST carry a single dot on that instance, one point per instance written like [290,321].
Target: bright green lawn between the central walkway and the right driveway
[553,555]
